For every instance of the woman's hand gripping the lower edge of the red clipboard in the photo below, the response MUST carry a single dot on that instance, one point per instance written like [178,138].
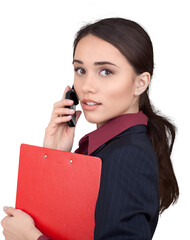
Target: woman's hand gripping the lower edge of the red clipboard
[18,225]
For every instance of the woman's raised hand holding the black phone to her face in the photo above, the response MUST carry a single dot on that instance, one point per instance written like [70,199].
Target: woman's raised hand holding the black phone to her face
[58,134]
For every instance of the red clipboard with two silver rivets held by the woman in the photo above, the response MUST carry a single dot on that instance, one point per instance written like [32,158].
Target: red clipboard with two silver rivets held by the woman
[59,191]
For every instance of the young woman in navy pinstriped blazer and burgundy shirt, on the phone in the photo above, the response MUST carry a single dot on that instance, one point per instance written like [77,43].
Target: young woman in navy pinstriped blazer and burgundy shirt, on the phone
[113,64]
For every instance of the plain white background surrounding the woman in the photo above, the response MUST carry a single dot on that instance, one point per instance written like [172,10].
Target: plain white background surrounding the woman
[36,40]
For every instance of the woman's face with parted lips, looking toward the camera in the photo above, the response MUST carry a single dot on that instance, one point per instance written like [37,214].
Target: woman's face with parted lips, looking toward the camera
[104,80]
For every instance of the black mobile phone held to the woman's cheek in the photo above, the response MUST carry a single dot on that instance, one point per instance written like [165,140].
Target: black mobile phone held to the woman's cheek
[71,94]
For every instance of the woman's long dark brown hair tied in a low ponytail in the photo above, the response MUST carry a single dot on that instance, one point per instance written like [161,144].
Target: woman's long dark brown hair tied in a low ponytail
[135,44]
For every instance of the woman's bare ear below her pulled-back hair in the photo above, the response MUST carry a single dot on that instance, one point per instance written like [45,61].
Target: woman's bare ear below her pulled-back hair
[142,82]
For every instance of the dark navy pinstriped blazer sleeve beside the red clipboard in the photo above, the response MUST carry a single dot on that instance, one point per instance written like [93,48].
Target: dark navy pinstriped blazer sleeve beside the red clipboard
[128,195]
